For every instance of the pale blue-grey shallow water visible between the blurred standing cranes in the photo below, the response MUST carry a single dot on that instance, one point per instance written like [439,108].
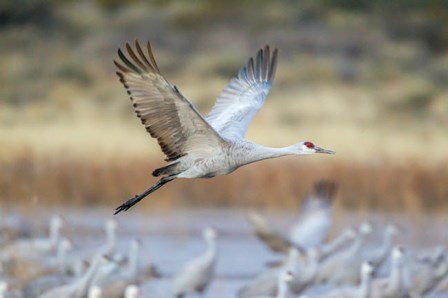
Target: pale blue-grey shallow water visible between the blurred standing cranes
[172,238]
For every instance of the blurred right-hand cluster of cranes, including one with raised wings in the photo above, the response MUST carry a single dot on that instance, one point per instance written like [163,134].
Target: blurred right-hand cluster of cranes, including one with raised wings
[349,266]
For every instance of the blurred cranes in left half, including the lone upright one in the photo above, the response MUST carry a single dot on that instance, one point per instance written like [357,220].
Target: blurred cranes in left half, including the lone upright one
[50,267]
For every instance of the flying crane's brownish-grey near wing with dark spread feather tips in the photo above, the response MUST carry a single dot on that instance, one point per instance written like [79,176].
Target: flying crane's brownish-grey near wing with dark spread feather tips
[166,114]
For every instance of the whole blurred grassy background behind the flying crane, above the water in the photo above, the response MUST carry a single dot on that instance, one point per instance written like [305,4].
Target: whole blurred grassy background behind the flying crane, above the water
[353,77]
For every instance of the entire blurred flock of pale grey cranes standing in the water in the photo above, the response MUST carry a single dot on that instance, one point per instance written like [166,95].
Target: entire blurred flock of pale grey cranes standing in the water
[352,265]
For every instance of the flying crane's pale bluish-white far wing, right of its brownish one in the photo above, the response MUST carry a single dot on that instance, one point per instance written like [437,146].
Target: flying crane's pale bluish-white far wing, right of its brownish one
[244,95]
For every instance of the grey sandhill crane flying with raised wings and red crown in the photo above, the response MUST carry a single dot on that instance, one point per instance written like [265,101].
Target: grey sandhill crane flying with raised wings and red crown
[198,147]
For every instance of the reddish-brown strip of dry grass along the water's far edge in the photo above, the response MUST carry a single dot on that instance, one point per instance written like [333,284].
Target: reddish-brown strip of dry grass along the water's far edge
[57,180]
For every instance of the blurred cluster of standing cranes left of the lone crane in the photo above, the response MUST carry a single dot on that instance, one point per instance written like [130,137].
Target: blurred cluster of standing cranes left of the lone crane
[51,267]
